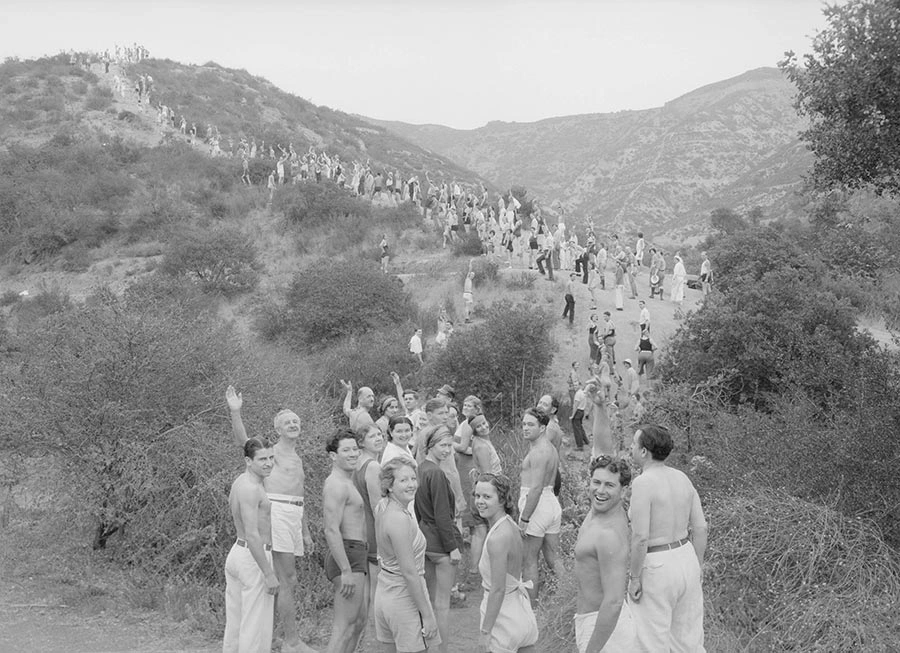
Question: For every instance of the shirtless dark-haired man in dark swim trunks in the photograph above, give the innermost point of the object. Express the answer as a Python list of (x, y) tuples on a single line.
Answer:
[(346, 564)]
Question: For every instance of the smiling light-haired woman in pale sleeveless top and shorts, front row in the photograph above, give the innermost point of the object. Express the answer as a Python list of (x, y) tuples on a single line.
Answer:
[(404, 616)]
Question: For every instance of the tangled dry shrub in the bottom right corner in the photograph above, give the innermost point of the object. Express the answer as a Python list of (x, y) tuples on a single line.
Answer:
[(785, 574)]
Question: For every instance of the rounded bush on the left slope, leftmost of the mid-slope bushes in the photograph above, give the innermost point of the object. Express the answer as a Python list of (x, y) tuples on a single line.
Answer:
[(220, 259)]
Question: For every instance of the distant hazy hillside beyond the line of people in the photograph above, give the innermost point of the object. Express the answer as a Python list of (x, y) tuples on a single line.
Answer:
[(733, 143)]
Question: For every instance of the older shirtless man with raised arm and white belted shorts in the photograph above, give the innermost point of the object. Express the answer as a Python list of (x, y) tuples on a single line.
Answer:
[(289, 533)]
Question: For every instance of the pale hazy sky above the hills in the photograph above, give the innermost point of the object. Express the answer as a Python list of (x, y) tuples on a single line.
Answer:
[(460, 64)]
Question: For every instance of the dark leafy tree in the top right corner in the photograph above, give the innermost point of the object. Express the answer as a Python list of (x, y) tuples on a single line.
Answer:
[(849, 87)]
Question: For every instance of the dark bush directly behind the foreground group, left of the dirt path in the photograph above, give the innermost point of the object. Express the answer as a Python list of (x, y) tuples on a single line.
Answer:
[(508, 352)]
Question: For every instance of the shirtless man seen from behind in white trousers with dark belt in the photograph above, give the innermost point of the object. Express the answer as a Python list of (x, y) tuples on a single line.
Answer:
[(668, 536)]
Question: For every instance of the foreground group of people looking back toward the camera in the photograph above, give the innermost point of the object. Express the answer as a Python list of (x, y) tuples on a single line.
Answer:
[(419, 486)]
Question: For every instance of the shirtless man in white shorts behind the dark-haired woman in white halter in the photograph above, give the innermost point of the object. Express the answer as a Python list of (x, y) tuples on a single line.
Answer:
[(540, 514)]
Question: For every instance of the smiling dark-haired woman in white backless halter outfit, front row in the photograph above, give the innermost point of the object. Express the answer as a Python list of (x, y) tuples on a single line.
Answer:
[(507, 620)]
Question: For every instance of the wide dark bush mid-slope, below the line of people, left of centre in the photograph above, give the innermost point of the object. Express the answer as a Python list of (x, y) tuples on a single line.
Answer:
[(333, 299)]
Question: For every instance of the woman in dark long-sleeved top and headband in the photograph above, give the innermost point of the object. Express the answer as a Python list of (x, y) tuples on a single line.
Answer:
[(436, 512)]
